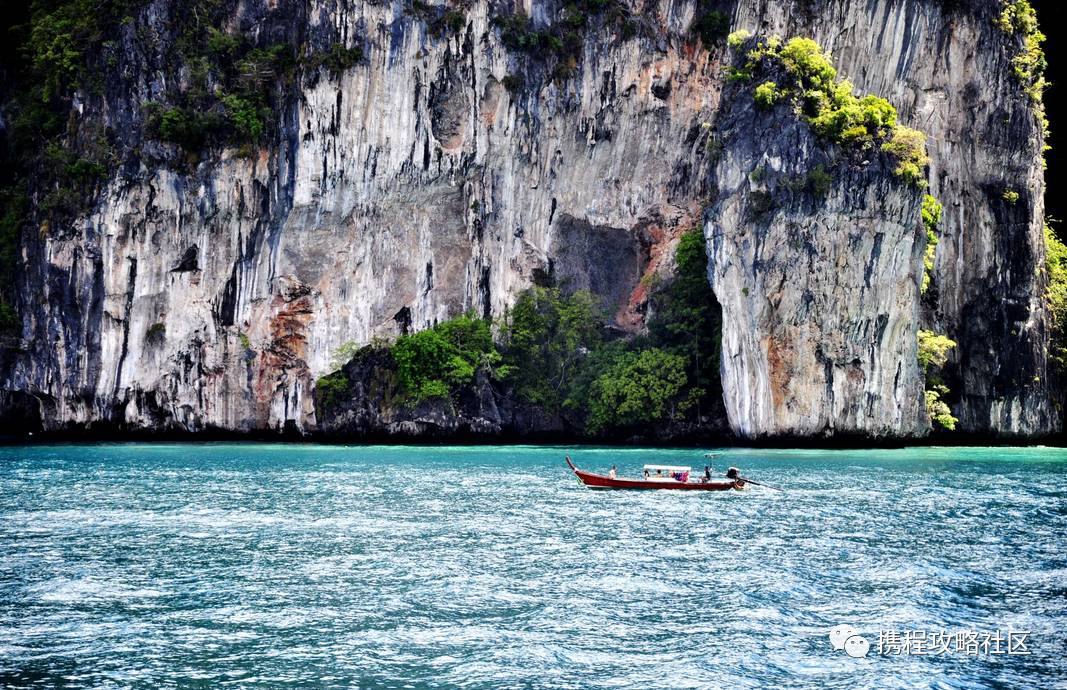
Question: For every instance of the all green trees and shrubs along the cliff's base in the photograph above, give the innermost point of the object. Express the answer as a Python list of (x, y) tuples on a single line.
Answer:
[(553, 352)]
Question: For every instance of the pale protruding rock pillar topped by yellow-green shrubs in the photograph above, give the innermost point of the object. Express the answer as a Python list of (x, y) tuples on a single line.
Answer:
[(820, 290)]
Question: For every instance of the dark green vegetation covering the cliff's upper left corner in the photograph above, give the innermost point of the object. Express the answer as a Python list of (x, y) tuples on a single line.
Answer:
[(66, 63)]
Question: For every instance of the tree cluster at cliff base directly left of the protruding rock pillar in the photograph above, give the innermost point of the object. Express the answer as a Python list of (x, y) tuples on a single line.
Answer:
[(560, 359)]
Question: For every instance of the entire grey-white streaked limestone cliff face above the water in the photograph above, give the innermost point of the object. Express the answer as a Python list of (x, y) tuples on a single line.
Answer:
[(415, 186)]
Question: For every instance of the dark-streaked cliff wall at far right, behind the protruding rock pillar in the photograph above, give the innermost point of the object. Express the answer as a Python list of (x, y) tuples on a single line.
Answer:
[(948, 70)]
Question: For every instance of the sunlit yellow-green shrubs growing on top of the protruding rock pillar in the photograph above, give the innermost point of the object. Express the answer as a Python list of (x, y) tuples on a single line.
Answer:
[(829, 104)]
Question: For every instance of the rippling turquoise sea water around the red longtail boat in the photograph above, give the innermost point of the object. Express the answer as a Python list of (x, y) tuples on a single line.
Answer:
[(329, 567)]
